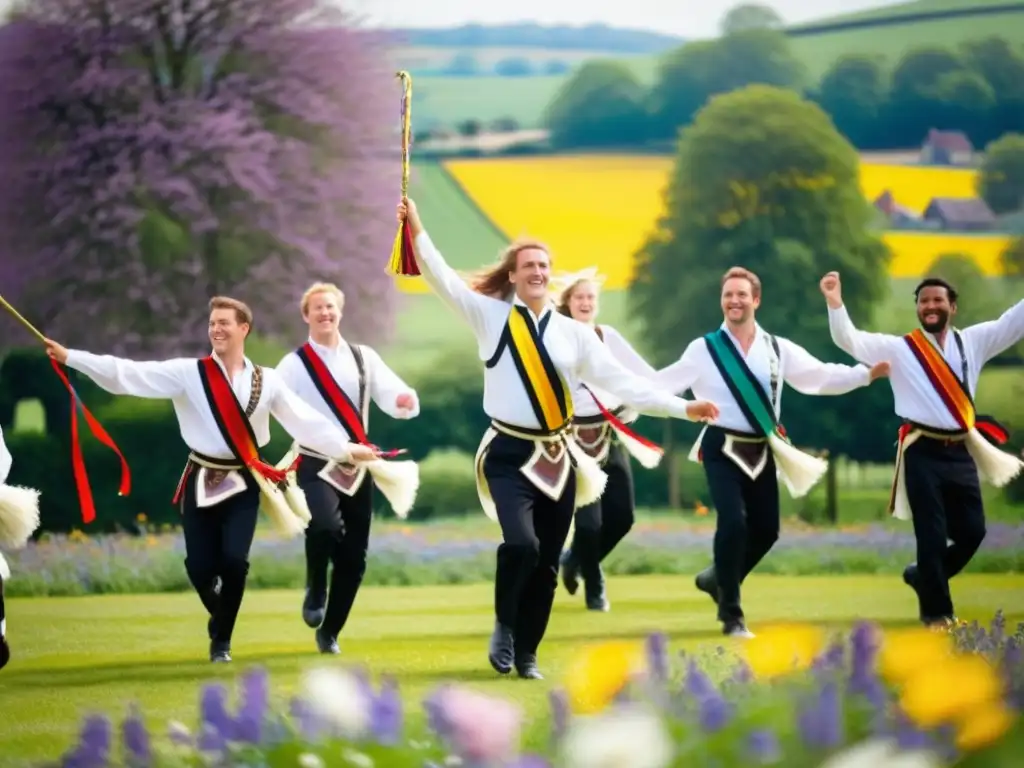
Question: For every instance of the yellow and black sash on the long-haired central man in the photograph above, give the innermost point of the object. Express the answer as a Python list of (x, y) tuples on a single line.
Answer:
[(547, 391)]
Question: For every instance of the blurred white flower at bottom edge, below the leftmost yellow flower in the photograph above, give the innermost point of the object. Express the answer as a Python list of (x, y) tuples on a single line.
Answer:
[(622, 738)]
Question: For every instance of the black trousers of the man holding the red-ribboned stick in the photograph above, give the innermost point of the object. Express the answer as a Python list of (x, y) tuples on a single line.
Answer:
[(218, 544)]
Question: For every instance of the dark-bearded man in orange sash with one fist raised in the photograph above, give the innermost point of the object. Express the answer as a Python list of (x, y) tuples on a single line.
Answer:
[(943, 447)]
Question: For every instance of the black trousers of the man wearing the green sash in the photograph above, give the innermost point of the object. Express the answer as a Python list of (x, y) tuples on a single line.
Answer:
[(748, 520)]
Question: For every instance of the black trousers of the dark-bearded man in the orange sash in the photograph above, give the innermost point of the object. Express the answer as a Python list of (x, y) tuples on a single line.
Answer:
[(946, 502)]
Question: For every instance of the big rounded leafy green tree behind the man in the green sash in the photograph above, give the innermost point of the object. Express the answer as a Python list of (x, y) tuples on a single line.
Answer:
[(763, 180)]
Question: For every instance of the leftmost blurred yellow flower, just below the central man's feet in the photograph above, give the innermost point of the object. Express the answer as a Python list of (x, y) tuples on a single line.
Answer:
[(600, 672)]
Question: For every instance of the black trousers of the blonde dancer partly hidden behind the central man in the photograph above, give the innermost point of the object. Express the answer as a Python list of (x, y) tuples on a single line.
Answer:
[(603, 525)]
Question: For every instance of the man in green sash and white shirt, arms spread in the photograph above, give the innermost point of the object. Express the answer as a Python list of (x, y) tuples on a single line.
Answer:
[(742, 367)]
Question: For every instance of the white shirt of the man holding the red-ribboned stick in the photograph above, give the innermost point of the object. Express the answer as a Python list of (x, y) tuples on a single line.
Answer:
[(179, 381)]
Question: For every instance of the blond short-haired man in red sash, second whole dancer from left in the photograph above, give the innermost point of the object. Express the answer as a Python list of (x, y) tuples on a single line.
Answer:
[(338, 379)]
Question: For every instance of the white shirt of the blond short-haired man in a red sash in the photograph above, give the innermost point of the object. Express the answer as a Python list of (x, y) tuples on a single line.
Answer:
[(383, 385)]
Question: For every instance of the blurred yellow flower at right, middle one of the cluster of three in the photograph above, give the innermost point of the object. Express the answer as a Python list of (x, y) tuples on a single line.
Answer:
[(942, 693)]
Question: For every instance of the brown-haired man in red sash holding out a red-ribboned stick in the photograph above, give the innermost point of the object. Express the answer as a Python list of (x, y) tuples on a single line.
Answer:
[(220, 503)]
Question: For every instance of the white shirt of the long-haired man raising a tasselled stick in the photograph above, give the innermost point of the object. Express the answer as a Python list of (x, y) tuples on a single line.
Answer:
[(574, 348)]
